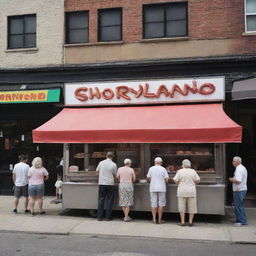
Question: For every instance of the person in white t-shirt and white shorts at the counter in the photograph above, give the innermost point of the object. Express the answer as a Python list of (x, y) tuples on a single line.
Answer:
[(158, 177)]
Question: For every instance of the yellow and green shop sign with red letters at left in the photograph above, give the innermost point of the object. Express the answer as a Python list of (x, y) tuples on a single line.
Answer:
[(33, 96)]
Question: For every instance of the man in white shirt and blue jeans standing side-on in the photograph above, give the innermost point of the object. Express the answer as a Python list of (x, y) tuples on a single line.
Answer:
[(239, 191)]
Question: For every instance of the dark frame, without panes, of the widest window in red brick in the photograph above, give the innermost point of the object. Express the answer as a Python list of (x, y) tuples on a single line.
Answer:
[(164, 6)]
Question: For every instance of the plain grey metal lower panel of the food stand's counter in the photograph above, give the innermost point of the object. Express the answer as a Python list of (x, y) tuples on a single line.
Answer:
[(87, 197)]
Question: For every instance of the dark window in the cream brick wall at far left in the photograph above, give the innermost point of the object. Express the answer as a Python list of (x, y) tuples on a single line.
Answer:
[(22, 31)]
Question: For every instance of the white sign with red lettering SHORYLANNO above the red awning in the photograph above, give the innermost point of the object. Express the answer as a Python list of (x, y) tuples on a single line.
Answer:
[(145, 92)]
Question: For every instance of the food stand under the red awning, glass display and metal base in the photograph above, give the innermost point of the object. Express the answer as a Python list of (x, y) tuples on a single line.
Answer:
[(81, 179)]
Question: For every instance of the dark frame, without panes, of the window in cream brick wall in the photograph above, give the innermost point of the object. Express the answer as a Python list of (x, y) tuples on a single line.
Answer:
[(23, 34)]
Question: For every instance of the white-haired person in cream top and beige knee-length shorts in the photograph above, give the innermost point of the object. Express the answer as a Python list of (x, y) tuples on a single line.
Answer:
[(186, 178)]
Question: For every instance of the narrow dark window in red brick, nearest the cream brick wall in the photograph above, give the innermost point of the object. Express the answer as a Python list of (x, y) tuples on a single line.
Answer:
[(77, 27)]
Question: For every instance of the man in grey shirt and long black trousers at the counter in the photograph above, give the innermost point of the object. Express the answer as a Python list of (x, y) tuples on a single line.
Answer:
[(107, 171)]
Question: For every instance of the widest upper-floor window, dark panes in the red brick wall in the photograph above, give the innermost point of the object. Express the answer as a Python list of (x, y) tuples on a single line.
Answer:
[(165, 20)]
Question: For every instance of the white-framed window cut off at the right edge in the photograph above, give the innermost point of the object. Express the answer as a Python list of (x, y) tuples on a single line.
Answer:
[(250, 15)]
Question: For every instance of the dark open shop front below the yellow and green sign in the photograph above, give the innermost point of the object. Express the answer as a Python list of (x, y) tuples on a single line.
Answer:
[(16, 125)]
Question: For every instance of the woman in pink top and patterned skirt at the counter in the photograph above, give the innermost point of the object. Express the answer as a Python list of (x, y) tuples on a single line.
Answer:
[(126, 177)]
